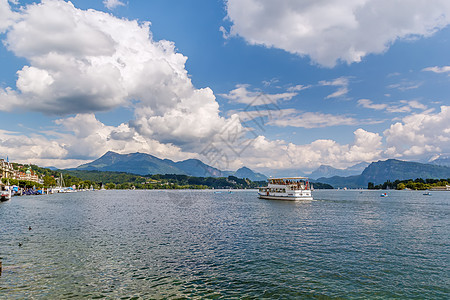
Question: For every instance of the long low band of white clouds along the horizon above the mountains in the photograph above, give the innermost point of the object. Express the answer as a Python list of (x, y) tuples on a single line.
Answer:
[(83, 138)]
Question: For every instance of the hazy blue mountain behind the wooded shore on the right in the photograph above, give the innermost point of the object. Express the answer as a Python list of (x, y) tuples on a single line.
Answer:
[(391, 169)]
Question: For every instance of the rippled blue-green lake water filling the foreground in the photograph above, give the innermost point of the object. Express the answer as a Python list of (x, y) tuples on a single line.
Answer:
[(201, 244)]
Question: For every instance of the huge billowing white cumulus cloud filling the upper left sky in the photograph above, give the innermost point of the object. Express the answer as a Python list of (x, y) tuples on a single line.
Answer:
[(83, 61)]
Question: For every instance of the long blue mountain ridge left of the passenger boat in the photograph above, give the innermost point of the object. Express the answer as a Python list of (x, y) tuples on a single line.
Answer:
[(145, 164)]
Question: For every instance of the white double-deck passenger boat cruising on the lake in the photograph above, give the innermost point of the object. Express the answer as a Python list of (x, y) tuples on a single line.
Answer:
[(287, 188)]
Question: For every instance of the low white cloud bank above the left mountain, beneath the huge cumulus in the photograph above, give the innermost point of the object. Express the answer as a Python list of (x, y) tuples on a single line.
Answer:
[(80, 139)]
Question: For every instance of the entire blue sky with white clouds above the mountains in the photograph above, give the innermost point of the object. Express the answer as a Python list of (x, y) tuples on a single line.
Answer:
[(278, 86)]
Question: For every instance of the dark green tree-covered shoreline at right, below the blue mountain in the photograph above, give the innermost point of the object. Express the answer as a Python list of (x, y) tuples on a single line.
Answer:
[(417, 184)]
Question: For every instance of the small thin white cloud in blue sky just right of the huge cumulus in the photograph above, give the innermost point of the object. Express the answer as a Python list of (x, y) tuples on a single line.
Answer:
[(241, 94)]
